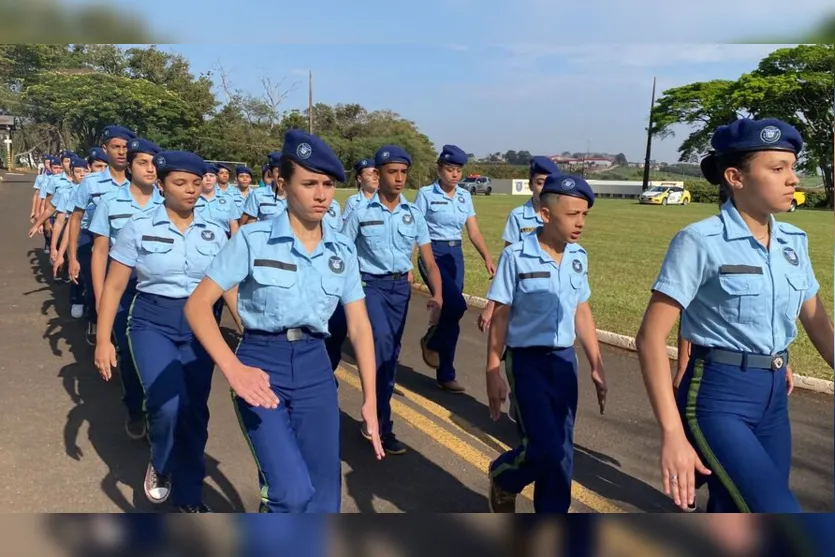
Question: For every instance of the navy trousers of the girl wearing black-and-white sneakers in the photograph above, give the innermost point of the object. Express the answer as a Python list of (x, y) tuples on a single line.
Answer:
[(176, 374)]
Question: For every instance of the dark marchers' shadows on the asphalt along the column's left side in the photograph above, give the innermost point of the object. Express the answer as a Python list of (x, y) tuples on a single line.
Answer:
[(98, 404)]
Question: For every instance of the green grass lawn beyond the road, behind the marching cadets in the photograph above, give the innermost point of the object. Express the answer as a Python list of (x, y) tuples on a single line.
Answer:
[(621, 237)]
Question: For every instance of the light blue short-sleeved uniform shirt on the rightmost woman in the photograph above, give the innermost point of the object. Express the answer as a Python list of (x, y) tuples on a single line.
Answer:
[(736, 294)]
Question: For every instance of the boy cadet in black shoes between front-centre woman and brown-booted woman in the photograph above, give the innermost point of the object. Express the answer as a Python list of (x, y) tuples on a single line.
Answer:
[(385, 229)]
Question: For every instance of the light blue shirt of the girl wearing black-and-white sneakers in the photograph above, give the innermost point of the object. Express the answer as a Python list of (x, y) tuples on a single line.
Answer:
[(167, 262)]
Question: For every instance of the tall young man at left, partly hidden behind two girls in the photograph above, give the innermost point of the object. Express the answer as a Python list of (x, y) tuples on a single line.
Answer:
[(87, 196)]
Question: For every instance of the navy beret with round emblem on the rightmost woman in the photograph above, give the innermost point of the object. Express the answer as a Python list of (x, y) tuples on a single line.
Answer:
[(747, 135)]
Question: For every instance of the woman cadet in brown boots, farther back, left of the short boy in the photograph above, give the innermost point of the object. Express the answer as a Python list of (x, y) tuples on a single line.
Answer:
[(448, 209)]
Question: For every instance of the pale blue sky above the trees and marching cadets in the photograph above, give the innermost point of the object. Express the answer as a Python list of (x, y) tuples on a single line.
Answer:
[(487, 75)]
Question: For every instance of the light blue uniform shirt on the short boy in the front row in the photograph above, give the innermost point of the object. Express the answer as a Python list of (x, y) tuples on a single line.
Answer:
[(543, 296)]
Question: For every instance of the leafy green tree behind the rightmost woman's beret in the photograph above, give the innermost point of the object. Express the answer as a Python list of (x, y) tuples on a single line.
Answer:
[(792, 84)]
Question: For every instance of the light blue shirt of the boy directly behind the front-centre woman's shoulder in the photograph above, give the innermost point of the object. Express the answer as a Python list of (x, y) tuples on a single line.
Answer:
[(384, 238)]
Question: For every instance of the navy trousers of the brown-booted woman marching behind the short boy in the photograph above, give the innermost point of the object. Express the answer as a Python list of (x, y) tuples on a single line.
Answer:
[(444, 338)]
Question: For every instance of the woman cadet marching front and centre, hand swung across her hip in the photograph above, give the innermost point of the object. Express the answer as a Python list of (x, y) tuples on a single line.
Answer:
[(292, 272)]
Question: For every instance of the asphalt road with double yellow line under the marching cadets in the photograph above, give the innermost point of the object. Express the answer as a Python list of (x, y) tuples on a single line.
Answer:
[(63, 446)]
